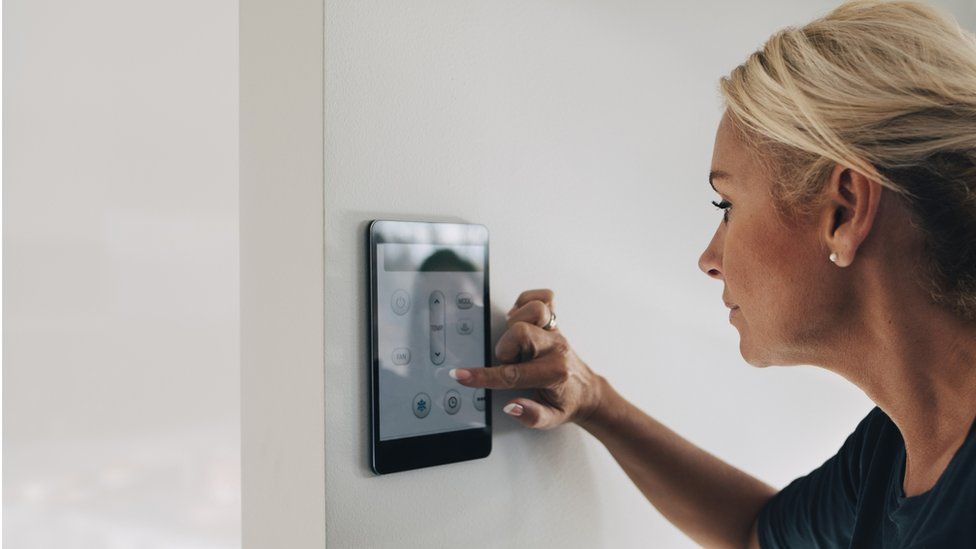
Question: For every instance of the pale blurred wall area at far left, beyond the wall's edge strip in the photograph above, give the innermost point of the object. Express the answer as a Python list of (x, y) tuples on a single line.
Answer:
[(121, 349)]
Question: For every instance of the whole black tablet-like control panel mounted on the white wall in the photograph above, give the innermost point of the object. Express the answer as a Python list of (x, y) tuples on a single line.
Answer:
[(429, 312)]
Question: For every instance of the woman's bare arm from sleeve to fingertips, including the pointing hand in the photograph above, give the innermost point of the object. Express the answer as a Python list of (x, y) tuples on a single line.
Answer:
[(711, 501)]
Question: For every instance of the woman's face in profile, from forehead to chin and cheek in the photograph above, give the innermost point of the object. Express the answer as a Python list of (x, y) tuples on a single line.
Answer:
[(777, 276)]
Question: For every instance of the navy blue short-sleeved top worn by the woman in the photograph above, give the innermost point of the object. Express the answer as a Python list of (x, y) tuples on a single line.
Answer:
[(855, 499)]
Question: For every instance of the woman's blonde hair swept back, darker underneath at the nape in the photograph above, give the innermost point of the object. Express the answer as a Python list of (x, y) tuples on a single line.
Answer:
[(887, 89)]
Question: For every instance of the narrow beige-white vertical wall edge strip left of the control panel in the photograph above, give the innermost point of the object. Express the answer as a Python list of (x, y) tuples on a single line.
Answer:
[(282, 387)]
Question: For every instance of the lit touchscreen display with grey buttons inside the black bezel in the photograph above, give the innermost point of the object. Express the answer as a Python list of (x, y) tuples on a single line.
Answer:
[(430, 318)]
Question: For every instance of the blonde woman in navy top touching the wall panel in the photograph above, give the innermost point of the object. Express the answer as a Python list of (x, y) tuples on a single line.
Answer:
[(846, 164)]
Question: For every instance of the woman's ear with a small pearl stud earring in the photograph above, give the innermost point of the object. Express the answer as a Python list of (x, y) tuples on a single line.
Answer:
[(850, 208)]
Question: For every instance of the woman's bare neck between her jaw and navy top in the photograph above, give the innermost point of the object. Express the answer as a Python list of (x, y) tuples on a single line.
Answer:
[(920, 368)]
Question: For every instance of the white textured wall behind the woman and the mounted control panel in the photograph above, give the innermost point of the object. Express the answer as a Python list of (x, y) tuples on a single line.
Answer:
[(580, 133)]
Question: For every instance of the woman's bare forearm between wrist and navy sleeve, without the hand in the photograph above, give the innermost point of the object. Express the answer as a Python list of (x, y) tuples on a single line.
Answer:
[(711, 501)]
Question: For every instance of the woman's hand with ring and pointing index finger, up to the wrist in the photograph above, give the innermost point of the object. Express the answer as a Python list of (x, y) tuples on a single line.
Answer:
[(535, 358)]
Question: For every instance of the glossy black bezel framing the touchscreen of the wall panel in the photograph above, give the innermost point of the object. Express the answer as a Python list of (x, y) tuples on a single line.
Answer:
[(440, 448)]
